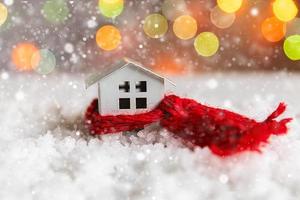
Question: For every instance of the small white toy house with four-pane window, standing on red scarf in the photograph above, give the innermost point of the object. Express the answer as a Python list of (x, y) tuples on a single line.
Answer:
[(127, 88)]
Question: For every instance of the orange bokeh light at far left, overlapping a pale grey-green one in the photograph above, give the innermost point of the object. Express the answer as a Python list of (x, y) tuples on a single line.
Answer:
[(22, 55)]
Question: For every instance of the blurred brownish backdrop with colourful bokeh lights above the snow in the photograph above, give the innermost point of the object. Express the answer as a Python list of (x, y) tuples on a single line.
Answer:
[(65, 36)]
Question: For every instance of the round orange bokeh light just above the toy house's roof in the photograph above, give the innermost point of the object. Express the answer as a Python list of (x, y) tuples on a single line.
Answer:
[(108, 37)]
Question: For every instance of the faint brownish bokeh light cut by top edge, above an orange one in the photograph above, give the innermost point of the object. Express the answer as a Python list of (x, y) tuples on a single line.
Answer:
[(172, 9)]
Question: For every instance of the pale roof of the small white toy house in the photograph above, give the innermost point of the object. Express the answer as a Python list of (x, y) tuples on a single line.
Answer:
[(119, 65)]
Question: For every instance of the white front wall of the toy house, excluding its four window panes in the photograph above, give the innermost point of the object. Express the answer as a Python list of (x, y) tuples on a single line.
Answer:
[(110, 93)]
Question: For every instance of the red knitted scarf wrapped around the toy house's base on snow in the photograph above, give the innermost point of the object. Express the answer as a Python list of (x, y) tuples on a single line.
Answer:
[(224, 132)]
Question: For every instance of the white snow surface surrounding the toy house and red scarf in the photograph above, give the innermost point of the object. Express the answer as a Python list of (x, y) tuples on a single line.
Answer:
[(46, 154)]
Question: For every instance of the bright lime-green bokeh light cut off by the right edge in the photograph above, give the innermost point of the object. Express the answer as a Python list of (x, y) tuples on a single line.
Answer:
[(292, 47)]
